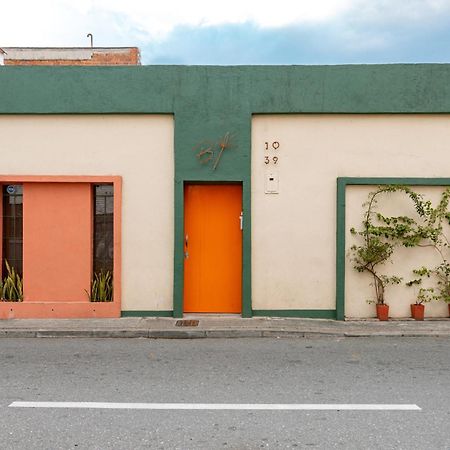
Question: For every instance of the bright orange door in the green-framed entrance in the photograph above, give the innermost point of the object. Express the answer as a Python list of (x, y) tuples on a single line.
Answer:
[(213, 248)]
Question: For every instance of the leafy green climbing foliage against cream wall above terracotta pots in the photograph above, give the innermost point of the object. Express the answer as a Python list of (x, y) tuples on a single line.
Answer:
[(382, 234)]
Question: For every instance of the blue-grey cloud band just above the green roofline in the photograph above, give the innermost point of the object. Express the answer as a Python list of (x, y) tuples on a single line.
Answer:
[(366, 41)]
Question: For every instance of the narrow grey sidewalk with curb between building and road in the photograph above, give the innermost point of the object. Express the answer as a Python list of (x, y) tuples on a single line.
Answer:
[(220, 326)]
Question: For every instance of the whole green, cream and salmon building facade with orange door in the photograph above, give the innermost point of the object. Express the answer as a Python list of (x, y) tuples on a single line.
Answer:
[(210, 189)]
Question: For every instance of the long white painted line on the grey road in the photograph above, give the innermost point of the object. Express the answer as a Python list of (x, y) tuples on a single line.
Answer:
[(222, 406)]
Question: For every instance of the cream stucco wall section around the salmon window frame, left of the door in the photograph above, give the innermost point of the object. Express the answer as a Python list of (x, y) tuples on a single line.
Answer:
[(140, 149)]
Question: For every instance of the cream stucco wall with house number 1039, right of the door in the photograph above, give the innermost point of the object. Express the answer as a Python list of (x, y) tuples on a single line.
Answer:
[(294, 231)]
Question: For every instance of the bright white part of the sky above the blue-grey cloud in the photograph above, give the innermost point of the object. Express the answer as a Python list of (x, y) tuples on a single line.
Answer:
[(66, 22)]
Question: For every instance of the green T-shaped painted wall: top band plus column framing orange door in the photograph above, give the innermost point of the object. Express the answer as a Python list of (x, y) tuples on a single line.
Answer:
[(209, 101)]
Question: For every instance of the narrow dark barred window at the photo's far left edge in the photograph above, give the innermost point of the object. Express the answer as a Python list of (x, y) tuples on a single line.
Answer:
[(12, 227)]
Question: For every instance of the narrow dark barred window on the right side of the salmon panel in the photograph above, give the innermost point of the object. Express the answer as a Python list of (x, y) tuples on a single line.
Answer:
[(103, 227)]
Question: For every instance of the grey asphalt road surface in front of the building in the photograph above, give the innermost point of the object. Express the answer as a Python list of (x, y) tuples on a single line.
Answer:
[(238, 371)]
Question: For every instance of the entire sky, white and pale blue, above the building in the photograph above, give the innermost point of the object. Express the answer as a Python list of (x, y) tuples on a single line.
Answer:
[(311, 31)]
